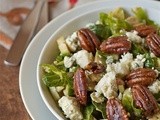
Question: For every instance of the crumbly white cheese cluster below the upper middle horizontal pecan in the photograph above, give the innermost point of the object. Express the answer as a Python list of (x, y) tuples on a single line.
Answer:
[(123, 66)]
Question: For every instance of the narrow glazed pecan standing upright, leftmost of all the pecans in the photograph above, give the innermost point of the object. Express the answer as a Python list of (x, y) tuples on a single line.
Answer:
[(80, 86)]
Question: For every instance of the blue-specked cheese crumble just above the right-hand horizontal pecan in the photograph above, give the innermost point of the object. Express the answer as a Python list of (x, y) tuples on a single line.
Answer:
[(138, 62)]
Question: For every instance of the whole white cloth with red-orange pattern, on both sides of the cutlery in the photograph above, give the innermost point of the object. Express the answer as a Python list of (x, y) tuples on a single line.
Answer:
[(14, 12)]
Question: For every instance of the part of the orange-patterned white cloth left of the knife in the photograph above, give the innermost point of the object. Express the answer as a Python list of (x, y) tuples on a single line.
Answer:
[(12, 15)]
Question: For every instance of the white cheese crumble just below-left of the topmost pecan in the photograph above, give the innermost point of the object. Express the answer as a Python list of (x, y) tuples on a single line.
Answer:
[(133, 36)]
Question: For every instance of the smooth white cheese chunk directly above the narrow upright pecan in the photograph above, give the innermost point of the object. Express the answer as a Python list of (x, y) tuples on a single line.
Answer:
[(83, 58)]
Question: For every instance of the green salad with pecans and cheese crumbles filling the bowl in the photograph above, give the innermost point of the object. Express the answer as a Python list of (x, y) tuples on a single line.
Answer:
[(109, 69)]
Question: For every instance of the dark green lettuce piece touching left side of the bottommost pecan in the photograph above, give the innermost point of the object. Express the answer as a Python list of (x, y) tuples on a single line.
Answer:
[(101, 107)]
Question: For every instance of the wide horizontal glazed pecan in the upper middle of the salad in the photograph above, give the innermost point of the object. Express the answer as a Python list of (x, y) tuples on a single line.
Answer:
[(116, 45)]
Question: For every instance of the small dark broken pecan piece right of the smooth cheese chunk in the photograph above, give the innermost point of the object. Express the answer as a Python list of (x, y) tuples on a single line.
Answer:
[(95, 67)]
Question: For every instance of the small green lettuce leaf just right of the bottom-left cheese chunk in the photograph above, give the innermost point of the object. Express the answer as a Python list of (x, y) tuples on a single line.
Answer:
[(87, 113)]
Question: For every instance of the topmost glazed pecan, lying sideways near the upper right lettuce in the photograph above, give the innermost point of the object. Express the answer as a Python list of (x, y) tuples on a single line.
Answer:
[(144, 30)]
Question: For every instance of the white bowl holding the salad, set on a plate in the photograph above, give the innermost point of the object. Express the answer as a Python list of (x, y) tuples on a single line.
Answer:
[(50, 49)]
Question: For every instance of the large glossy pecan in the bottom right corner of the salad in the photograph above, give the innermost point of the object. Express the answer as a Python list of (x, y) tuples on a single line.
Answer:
[(144, 100)]
